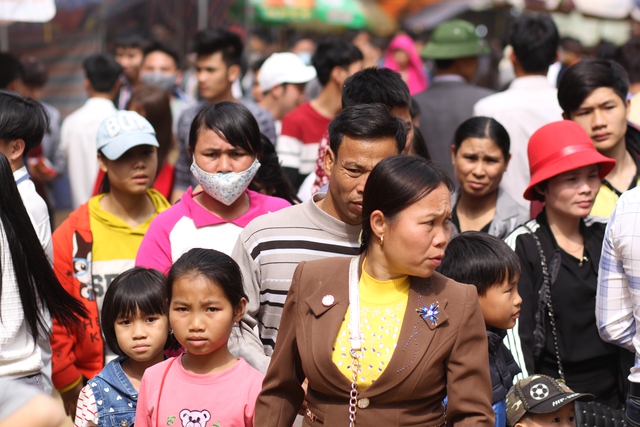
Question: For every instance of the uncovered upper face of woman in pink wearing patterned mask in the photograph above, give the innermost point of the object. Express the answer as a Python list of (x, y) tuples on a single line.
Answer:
[(213, 154)]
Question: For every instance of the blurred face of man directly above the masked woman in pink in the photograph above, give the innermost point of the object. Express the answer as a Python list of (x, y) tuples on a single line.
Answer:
[(214, 77)]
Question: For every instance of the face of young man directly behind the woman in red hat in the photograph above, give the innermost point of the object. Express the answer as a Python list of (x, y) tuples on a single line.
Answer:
[(603, 115)]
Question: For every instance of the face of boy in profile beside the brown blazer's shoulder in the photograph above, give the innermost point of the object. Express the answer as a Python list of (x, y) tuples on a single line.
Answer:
[(501, 304)]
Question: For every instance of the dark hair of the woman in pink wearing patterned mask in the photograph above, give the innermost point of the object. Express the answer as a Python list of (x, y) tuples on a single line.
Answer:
[(233, 122)]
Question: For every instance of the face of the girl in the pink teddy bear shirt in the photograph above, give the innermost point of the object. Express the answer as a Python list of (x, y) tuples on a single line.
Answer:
[(201, 315)]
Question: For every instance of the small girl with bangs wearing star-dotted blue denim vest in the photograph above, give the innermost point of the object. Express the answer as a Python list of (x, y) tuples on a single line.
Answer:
[(136, 327)]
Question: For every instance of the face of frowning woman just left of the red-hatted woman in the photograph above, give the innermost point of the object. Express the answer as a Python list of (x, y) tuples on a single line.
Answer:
[(479, 165)]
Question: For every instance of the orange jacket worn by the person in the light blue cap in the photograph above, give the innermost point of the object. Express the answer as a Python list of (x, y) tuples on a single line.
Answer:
[(79, 354)]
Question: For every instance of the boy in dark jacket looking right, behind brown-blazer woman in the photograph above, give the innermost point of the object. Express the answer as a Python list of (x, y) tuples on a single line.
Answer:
[(491, 266)]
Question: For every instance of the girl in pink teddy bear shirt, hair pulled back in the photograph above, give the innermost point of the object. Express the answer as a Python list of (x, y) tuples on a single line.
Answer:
[(207, 385)]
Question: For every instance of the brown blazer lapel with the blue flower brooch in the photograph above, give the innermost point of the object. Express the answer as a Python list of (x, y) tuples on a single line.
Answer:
[(415, 337)]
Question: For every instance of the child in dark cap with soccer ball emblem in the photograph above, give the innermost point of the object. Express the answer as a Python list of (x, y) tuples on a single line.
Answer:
[(541, 401)]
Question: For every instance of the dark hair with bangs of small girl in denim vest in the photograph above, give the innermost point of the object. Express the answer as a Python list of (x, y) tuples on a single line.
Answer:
[(137, 291)]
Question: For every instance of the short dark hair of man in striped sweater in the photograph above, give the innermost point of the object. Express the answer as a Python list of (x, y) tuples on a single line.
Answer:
[(368, 122)]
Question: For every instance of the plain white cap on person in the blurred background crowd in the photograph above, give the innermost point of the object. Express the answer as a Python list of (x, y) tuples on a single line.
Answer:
[(282, 68)]
